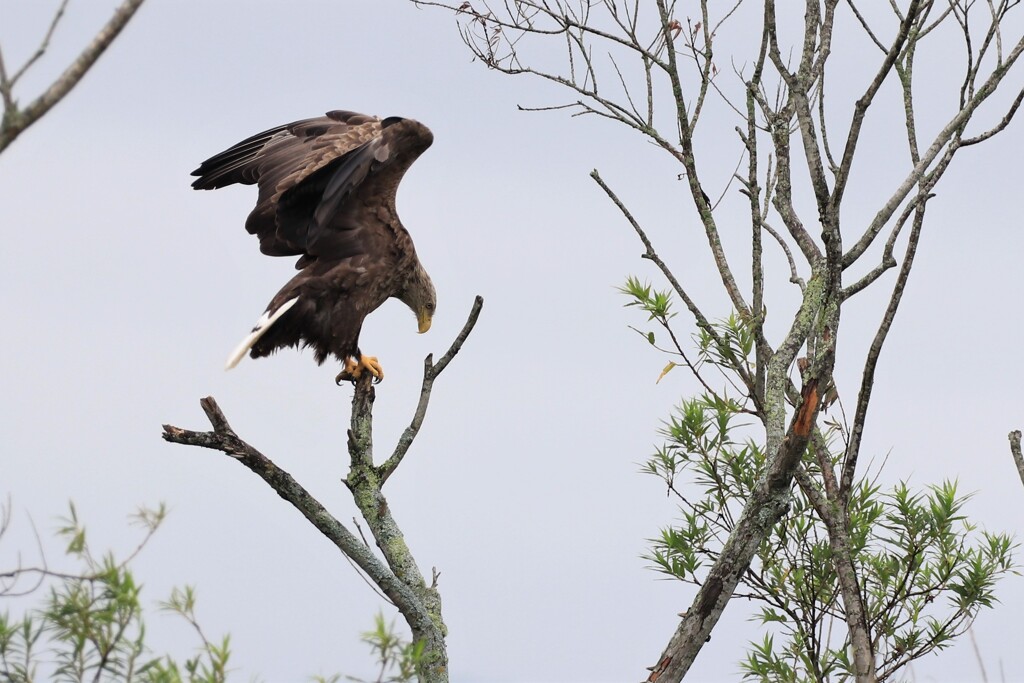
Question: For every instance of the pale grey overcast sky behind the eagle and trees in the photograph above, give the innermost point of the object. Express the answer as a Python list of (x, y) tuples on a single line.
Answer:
[(124, 292)]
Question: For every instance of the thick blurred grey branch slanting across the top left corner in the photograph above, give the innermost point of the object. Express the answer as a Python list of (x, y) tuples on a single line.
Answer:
[(17, 121)]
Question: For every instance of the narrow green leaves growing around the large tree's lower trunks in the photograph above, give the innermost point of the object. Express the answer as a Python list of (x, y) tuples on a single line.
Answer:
[(924, 570)]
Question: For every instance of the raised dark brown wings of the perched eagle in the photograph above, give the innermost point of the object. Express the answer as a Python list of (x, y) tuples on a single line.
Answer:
[(324, 183)]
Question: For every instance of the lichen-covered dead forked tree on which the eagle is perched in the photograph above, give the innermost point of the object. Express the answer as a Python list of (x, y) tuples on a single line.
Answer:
[(398, 576)]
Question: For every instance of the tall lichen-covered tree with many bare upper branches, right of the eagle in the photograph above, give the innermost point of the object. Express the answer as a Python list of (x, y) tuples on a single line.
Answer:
[(654, 70)]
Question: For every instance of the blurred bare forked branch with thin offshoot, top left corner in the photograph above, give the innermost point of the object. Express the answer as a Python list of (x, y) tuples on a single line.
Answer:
[(17, 118)]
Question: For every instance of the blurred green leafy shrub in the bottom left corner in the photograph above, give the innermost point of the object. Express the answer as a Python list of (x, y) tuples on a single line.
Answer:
[(92, 627)]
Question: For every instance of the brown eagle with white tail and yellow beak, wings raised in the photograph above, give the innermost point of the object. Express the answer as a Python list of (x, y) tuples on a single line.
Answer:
[(327, 194)]
